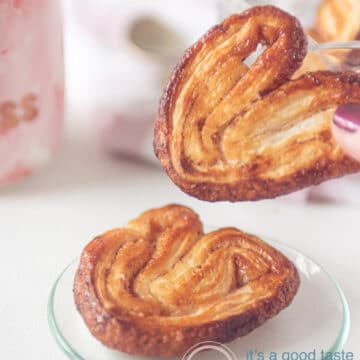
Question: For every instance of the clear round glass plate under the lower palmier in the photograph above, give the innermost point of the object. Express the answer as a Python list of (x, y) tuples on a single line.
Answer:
[(317, 320)]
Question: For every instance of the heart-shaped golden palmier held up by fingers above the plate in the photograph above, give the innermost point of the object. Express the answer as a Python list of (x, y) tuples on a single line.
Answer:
[(229, 131)]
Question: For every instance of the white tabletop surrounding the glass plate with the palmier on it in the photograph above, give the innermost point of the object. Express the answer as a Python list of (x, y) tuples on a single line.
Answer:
[(47, 219)]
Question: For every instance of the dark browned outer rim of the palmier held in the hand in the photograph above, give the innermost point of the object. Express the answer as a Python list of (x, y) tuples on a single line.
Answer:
[(253, 188)]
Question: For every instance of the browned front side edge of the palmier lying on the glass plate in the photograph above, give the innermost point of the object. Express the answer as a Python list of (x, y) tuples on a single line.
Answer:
[(167, 342)]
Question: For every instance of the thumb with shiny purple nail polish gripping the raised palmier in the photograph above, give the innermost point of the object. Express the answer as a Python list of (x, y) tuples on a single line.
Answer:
[(346, 129)]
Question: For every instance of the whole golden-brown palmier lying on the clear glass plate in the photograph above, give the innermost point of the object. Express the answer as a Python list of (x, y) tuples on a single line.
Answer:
[(160, 285)]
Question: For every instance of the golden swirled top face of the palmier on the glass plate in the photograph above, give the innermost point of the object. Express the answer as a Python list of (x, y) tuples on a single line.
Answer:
[(163, 266)]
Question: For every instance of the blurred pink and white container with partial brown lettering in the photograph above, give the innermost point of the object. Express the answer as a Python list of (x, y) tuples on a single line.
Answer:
[(31, 85)]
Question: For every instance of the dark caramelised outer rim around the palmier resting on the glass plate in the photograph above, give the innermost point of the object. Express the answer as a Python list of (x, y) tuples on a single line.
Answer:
[(136, 335)]
